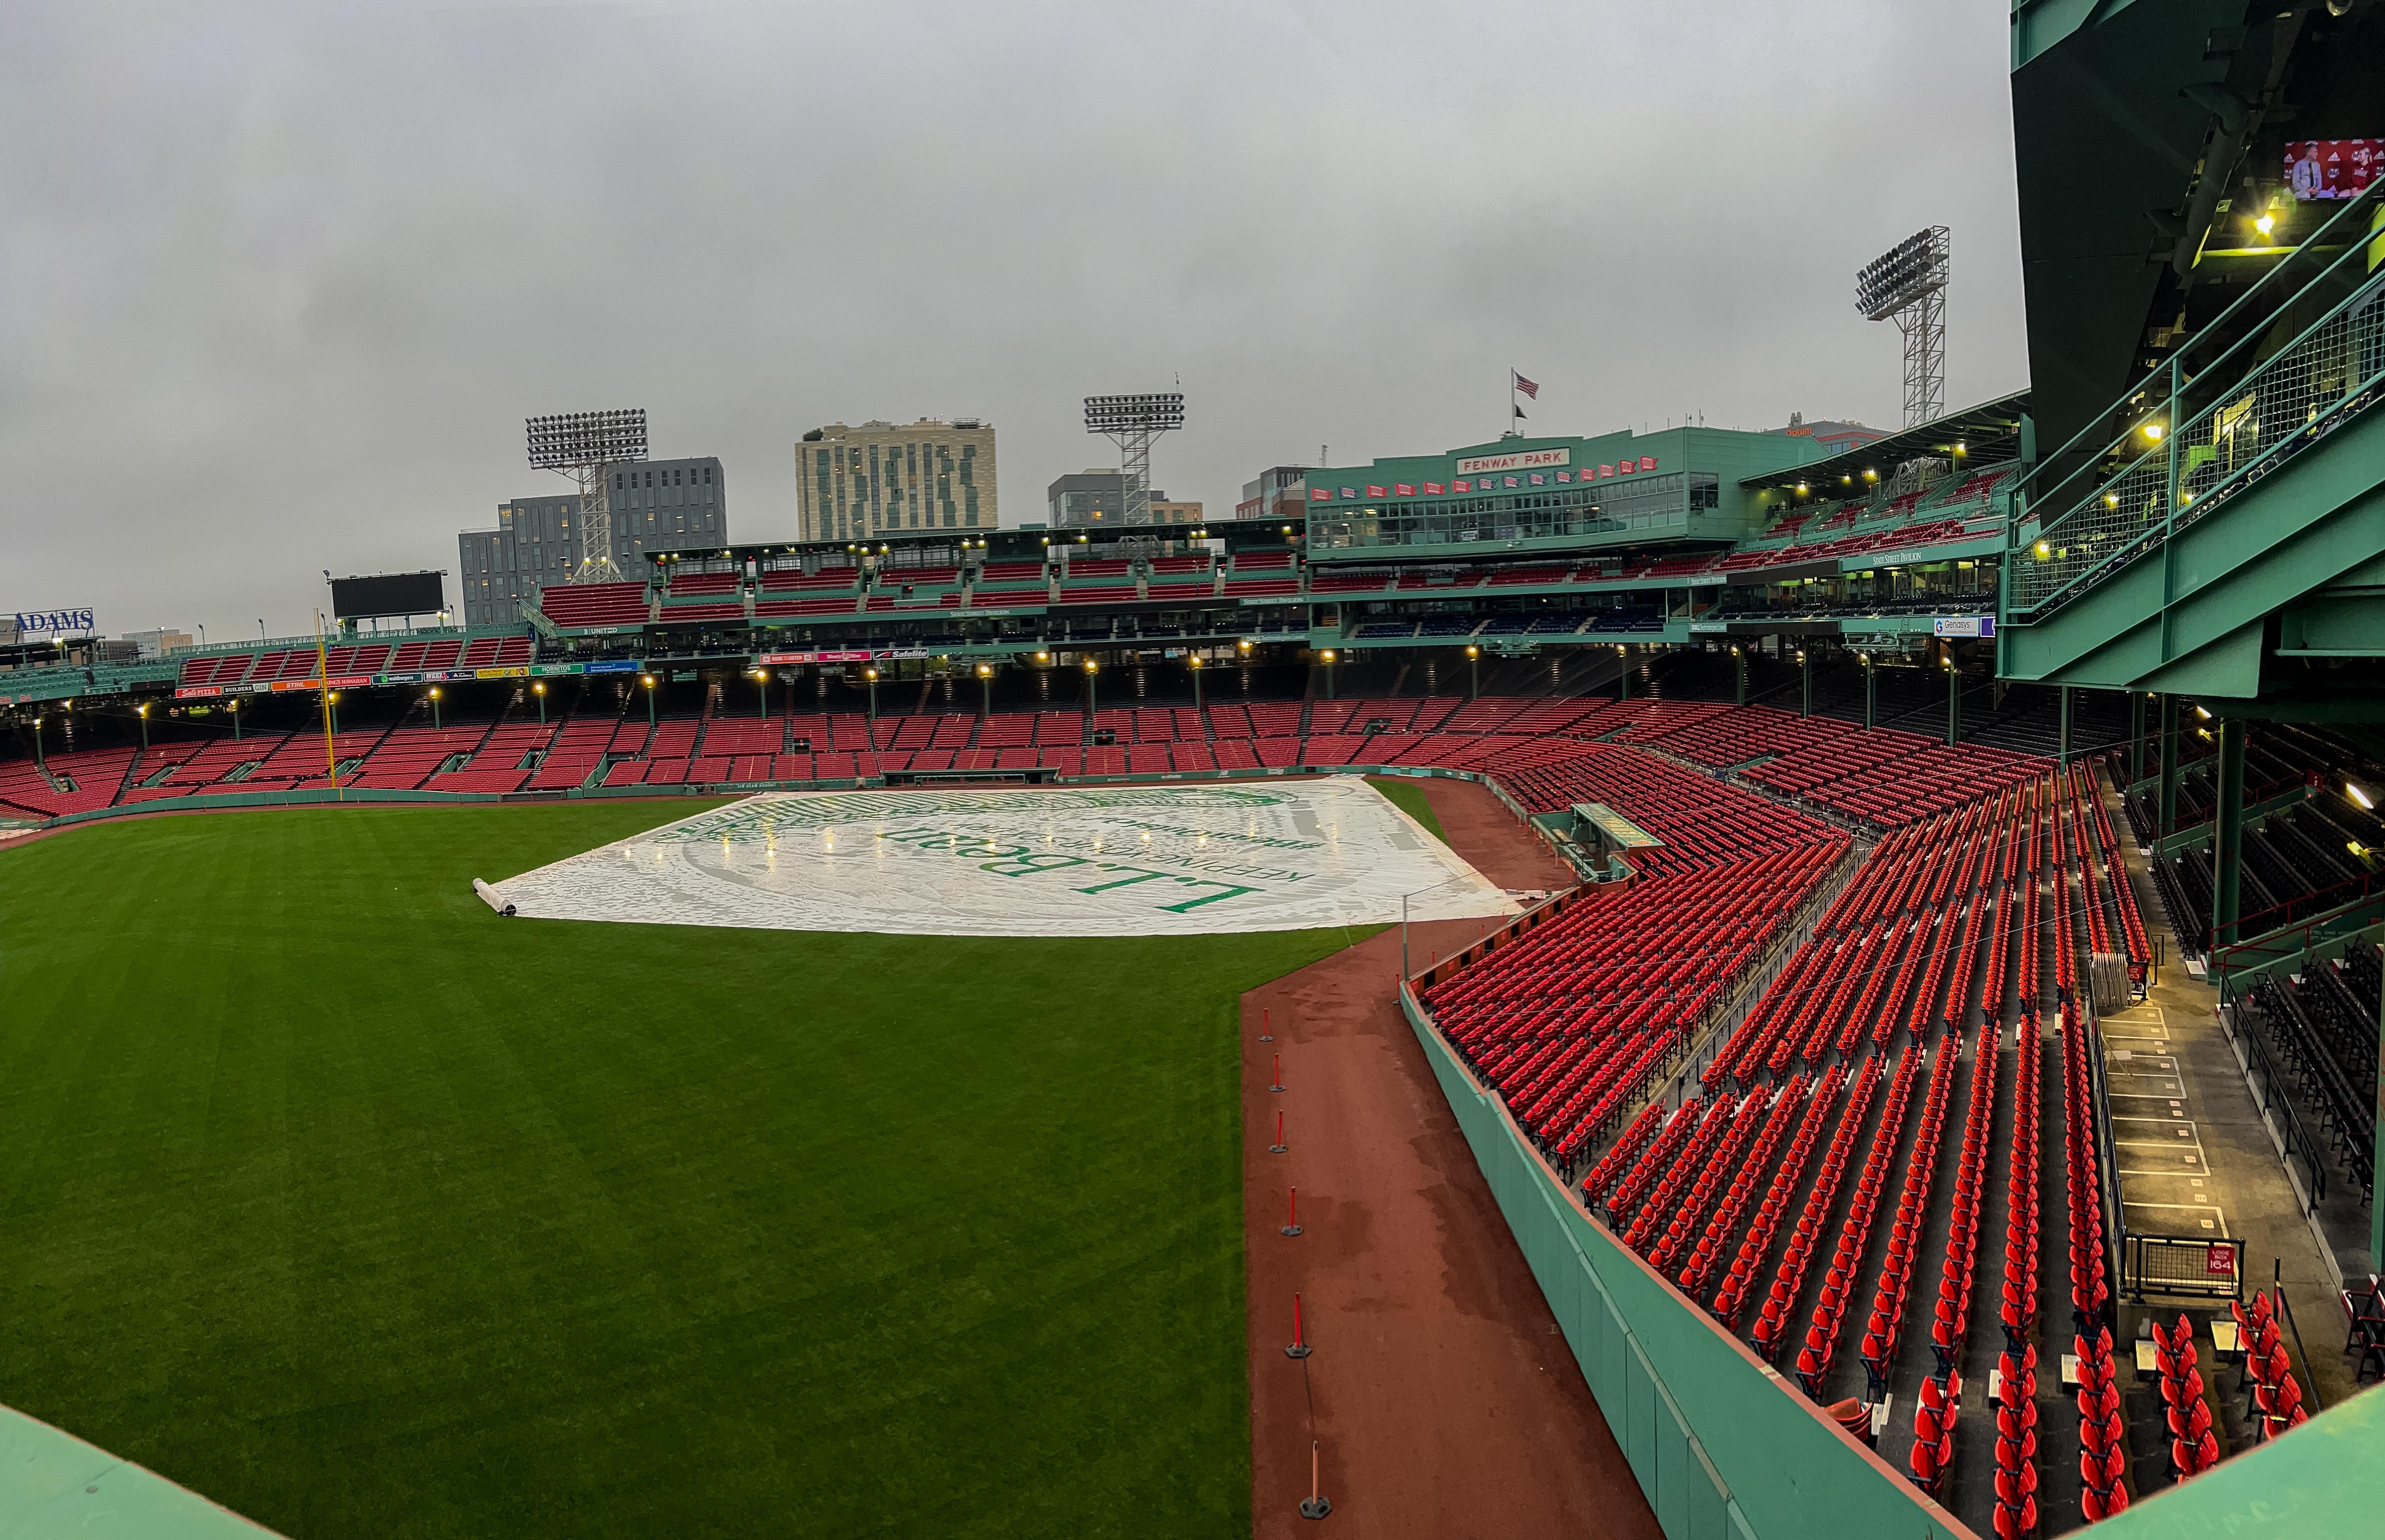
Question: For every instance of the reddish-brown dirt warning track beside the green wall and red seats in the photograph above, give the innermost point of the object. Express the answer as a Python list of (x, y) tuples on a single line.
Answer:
[(1447, 1403)]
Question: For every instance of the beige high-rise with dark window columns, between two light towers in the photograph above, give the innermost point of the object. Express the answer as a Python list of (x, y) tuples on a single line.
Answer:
[(857, 483)]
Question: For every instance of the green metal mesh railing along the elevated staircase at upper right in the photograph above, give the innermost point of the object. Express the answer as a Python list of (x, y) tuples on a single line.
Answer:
[(2329, 373)]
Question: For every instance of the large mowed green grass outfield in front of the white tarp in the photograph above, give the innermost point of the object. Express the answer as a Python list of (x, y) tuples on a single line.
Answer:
[(364, 1212)]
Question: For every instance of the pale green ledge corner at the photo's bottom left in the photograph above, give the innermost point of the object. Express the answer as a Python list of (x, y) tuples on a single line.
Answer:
[(54, 1486)]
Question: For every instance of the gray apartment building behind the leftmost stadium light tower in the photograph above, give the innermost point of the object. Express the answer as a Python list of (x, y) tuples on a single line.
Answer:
[(655, 507)]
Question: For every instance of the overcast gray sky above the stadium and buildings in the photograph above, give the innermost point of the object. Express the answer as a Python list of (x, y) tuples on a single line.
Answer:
[(278, 285)]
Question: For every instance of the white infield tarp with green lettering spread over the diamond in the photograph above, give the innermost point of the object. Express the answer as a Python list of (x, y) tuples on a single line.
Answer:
[(1024, 864)]
